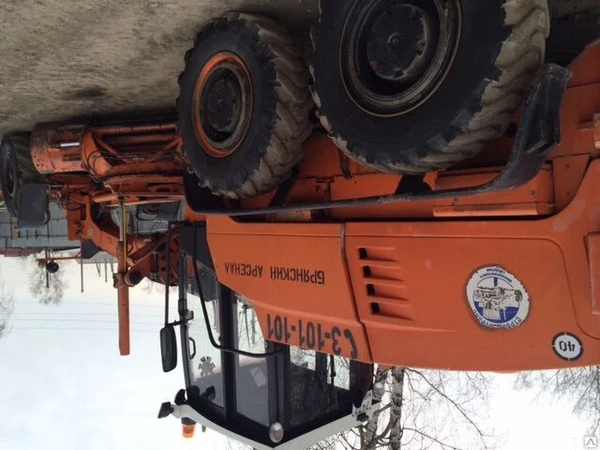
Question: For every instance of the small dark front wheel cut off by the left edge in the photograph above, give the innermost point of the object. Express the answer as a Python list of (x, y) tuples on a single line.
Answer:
[(16, 169)]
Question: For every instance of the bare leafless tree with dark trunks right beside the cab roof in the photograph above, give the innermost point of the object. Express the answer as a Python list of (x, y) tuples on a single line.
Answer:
[(424, 409)]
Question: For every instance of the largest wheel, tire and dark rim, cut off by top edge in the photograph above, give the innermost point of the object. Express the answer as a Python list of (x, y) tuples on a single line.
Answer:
[(412, 86)]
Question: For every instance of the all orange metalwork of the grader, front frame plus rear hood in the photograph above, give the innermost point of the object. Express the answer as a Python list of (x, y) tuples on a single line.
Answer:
[(384, 283)]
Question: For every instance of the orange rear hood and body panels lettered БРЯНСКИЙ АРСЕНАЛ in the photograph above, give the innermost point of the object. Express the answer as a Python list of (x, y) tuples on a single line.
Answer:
[(390, 283)]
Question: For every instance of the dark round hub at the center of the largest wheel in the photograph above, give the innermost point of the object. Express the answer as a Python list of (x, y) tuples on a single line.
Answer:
[(401, 44)]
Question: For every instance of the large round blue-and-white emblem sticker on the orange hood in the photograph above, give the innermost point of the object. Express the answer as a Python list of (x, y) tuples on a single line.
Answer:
[(497, 298)]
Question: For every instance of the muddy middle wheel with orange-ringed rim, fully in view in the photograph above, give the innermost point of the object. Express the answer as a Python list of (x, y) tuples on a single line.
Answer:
[(276, 106)]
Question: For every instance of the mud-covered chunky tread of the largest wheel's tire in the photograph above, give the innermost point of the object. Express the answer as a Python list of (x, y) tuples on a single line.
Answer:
[(490, 110)]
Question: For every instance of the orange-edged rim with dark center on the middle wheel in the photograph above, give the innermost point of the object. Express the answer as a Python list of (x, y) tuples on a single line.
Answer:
[(222, 106)]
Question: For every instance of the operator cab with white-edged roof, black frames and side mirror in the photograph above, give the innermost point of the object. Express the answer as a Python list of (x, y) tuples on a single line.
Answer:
[(260, 393)]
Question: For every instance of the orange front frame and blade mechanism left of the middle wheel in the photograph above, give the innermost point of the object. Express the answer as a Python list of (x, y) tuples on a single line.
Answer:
[(94, 170)]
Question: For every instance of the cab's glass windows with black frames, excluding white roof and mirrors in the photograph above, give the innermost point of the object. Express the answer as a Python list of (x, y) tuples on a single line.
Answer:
[(245, 383)]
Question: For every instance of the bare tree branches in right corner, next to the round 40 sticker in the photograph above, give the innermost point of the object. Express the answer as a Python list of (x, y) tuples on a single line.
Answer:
[(579, 386)]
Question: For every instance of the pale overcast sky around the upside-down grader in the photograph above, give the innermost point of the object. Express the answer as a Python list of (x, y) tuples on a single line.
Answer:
[(64, 386)]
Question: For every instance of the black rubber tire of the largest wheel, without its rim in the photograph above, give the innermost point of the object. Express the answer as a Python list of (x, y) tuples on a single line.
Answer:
[(497, 53)]
